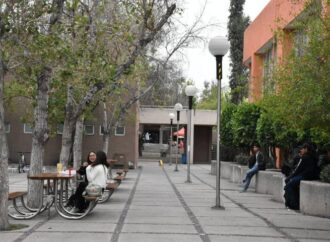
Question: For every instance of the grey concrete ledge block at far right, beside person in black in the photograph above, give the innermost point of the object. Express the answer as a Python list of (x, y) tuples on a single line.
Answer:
[(315, 198)]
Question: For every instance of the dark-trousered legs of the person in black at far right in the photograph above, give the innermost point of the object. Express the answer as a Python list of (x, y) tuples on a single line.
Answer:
[(291, 193)]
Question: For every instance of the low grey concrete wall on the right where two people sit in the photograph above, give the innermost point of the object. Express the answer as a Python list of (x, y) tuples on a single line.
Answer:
[(314, 195)]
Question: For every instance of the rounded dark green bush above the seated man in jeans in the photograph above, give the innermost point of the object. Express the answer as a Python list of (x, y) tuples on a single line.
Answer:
[(244, 122)]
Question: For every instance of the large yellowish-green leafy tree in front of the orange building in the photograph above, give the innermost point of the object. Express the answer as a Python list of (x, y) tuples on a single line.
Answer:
[(300, 111)]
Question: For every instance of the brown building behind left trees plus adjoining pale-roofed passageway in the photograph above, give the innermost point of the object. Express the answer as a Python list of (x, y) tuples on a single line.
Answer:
[(124, 140)]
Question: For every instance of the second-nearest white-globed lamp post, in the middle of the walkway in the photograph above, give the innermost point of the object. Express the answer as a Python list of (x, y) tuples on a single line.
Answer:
[(190, 91)]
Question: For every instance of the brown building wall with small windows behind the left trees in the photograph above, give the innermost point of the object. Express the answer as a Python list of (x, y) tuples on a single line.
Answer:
[(123, 140)]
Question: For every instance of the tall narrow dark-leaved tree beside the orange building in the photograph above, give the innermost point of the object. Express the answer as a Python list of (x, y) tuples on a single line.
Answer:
[(236, 25)]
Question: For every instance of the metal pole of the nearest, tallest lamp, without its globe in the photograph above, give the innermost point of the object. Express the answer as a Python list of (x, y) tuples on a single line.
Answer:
[(219, 77)]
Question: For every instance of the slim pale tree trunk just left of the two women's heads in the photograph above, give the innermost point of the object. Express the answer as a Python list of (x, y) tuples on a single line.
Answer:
[(77, 144)]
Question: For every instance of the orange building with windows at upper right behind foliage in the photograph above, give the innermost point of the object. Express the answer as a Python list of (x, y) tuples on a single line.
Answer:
[(269, 39)]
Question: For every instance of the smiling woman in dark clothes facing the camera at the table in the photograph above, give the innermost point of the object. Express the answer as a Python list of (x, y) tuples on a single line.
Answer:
[(77, 200)]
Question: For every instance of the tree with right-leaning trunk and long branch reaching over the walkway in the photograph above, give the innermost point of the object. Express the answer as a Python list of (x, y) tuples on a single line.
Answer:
[(150, 17)]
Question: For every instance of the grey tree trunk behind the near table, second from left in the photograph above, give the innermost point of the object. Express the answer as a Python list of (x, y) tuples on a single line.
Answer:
[(40, 136)]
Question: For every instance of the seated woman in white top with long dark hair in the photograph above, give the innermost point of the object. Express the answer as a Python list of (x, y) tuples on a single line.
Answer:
[(96, 173)]
